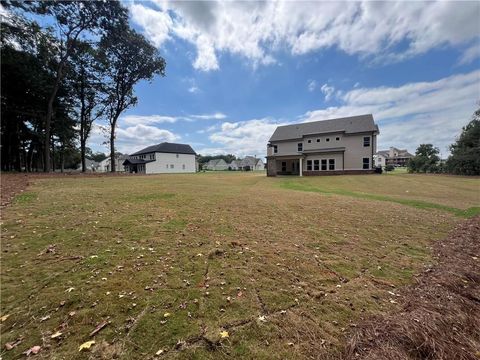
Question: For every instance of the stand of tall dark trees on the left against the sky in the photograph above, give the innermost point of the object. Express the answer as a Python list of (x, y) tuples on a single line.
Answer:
[(64, 66)]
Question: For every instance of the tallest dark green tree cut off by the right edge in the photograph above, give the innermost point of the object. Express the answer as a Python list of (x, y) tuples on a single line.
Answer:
[(465, 157)]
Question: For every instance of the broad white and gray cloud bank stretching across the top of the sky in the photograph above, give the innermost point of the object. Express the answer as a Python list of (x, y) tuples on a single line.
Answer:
[(256, 30)]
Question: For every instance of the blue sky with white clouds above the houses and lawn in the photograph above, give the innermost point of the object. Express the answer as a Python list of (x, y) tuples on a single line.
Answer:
[(237, 70)]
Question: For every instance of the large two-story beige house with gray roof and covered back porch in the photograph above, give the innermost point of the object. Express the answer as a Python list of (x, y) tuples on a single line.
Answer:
[(337, 146)]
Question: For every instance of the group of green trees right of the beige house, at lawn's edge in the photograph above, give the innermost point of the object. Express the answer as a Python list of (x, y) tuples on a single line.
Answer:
[(464, 158)]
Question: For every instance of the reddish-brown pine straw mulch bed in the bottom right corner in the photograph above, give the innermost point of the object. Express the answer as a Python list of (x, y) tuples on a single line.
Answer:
[(440, 314)]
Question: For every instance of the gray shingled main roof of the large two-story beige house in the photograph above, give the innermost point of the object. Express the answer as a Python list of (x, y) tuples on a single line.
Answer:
[(349, 125)]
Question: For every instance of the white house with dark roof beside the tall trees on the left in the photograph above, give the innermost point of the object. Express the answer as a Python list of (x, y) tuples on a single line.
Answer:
[(162, 158)]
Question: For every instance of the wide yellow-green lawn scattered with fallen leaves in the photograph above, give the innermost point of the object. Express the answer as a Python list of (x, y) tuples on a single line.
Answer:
[(215, 265)]
